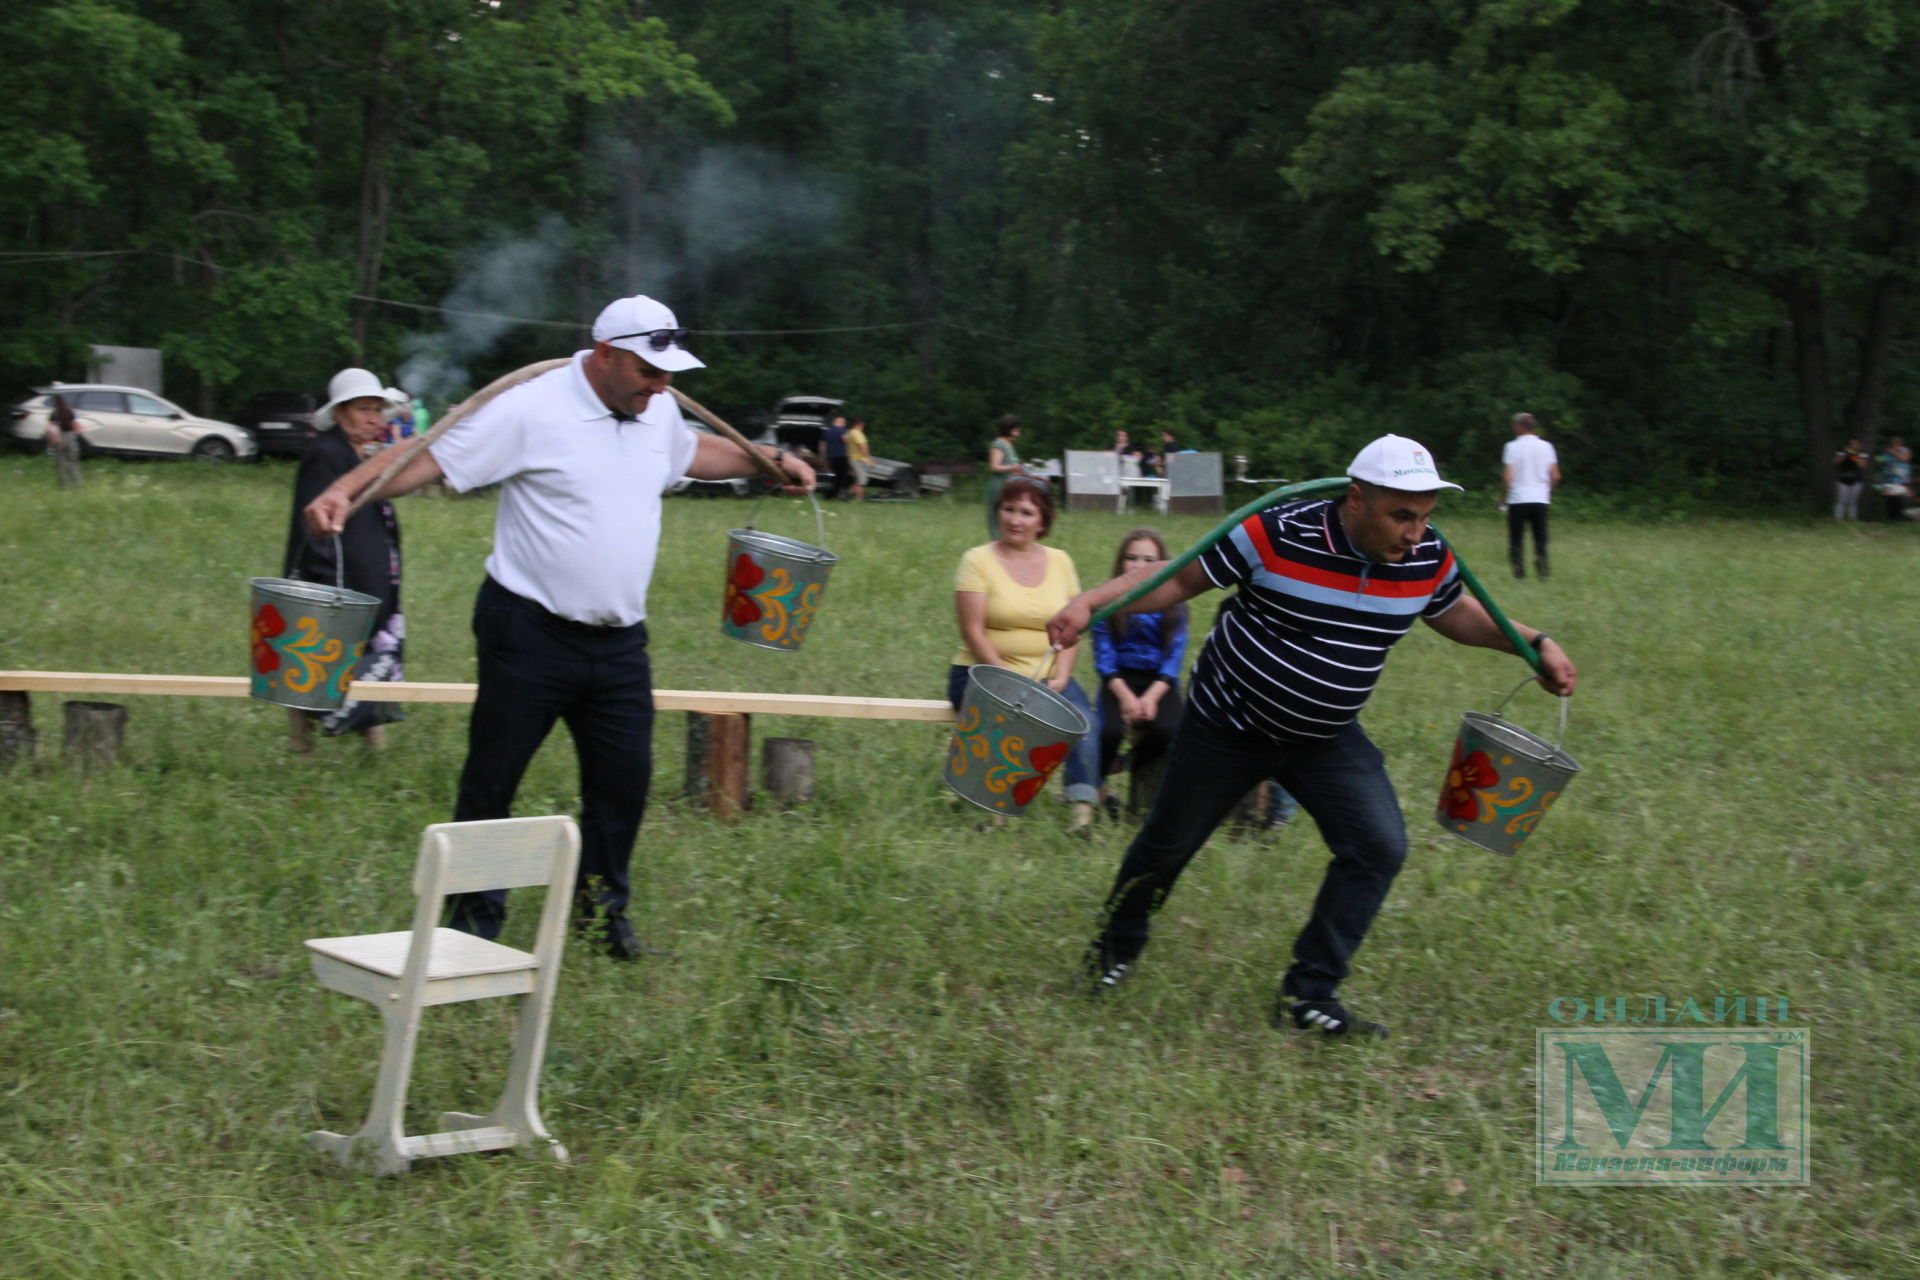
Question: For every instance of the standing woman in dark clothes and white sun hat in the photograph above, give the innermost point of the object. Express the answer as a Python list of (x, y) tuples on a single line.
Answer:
[(354, 425)]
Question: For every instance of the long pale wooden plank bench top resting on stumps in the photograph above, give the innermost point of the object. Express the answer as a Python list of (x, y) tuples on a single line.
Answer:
[(930, 711)]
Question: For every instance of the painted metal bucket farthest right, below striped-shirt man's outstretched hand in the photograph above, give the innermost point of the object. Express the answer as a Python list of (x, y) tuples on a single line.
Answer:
[(1502, 780)]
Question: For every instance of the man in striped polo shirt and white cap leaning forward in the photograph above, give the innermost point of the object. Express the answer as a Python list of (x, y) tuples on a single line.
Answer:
[(1326, 588)]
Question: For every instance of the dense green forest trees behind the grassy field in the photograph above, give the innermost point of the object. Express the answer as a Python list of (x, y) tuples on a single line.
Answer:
[(1683, 233)]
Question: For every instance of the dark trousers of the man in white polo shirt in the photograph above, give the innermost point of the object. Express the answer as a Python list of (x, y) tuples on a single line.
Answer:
[(537, 669)]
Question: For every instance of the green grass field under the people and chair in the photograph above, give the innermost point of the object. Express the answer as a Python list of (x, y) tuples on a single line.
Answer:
[(871, 1055)]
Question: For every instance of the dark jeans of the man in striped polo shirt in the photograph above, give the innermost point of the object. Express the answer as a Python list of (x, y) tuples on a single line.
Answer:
[(1341, 782)]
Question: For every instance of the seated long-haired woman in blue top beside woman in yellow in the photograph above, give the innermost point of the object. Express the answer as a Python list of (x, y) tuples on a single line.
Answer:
[(1138, 659)]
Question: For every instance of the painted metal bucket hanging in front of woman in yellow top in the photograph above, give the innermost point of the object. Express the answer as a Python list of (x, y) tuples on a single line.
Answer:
[(1013, 734)]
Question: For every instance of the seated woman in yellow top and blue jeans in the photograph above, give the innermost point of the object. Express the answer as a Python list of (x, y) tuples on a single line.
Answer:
[(1005, 592)]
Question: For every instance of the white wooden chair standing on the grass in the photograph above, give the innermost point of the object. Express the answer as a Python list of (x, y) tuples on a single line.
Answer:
[(400, 974)]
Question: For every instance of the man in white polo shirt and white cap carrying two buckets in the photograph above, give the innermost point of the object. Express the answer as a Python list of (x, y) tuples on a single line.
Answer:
[(583, 456)]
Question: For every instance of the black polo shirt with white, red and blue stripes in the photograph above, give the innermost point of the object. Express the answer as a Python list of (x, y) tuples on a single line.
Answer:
[(1299, 648)]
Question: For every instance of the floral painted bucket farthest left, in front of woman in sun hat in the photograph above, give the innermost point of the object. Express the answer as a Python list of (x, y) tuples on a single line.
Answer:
[(306, 642)]
